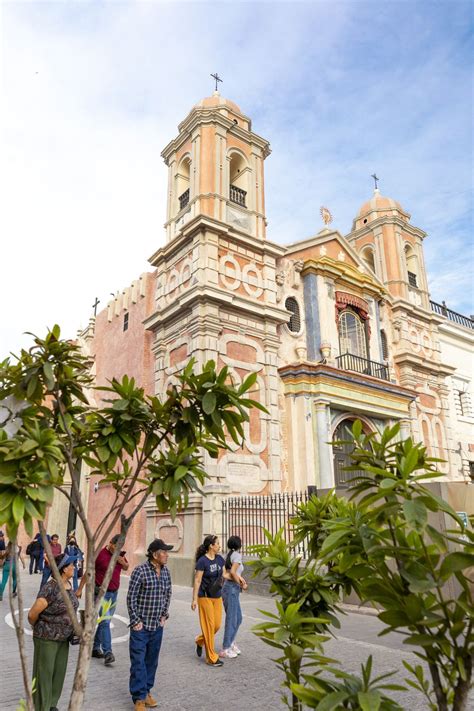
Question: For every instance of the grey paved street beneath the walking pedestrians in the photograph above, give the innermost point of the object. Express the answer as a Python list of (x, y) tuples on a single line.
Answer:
[(183, 681)]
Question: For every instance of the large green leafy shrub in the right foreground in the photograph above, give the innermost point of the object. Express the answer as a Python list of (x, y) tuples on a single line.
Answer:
[(383, 545)]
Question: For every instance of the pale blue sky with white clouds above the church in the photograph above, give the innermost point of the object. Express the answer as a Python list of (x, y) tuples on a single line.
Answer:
[(91, 93)]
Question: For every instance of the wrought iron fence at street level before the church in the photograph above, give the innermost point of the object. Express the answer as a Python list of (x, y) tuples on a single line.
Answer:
[(248, 517)]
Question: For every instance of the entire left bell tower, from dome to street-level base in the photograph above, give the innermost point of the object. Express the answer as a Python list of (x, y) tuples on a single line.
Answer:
[(216, 293)]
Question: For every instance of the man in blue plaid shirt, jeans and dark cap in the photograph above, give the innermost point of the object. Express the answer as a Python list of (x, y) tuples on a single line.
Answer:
[(148, 602)]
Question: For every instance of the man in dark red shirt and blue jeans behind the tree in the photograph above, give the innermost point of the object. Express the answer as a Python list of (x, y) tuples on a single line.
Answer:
[(102, 648)]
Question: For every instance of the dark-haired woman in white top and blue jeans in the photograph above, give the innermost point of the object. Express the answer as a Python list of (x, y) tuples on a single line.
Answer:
[(231, 597)]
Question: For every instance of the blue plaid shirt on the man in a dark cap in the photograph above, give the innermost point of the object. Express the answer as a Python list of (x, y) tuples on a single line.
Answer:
[(149, 596)]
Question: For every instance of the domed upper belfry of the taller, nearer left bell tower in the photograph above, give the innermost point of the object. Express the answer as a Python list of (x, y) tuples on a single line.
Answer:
[(215, 169)]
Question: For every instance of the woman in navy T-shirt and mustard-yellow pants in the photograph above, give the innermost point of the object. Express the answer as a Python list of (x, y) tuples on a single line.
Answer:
[(207, 596)]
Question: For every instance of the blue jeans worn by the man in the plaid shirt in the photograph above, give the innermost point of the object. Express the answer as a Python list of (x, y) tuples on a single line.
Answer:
[(144, 652)]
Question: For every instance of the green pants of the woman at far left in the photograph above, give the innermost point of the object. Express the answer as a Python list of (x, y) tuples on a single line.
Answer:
[(49, 670)]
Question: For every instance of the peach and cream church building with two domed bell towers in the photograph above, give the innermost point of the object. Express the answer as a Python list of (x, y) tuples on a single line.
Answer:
[(335, 327)]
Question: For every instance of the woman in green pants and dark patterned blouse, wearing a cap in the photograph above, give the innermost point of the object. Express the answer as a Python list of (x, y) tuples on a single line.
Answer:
[(52, 629)]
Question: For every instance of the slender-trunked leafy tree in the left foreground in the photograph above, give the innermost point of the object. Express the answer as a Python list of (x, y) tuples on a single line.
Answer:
[(140, 445)]
